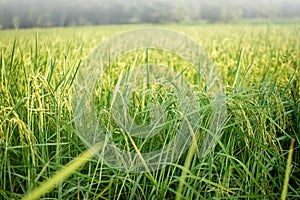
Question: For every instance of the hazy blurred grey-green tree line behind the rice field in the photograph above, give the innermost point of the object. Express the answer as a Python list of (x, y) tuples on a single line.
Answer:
[(48, 13)]
